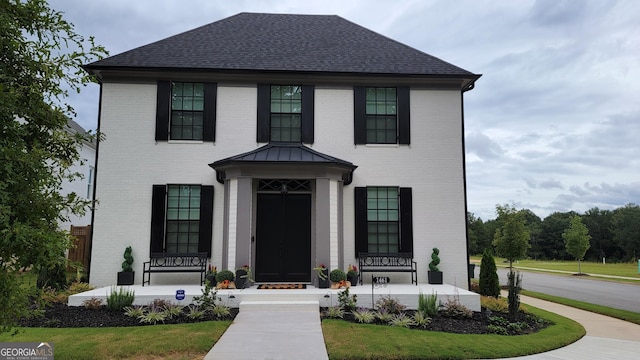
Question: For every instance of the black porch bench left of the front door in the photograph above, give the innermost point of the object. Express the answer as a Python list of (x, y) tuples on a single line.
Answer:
[(175, 263)]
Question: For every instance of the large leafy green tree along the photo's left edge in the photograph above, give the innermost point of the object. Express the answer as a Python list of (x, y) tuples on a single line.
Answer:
[(40, 62)]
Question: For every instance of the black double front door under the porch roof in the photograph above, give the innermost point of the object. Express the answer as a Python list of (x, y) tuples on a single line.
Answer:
[(283, 238)]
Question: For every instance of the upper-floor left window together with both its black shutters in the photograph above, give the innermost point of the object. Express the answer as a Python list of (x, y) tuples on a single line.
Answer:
[(186, 111)]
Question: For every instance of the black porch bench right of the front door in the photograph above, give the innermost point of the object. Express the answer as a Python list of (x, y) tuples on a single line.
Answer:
[(393, 262)]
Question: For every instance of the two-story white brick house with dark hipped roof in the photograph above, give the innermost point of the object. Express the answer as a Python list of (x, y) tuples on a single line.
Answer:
[(281, 142)]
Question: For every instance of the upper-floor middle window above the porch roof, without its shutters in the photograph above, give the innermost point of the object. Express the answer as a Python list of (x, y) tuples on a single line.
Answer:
[(286, 110)]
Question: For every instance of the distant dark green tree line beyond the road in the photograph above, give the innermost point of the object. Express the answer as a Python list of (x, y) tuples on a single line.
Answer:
[(615, 234)]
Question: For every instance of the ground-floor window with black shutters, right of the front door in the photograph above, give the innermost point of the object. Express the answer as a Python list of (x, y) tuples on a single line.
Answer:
[(383, 216)]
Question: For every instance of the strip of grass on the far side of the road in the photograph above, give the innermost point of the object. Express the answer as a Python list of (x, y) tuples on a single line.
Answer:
[(619, 269)]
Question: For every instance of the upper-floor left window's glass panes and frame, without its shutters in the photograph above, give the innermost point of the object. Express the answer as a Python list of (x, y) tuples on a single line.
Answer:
[(187, 109)]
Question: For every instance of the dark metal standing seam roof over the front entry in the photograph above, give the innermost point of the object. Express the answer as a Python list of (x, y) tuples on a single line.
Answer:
[(284, 153)]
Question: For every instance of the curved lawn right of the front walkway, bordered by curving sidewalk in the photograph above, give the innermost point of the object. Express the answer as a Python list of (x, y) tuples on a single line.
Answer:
[(347, 340)]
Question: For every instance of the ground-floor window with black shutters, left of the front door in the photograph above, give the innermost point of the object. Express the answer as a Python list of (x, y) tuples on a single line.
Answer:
[(181, 218)]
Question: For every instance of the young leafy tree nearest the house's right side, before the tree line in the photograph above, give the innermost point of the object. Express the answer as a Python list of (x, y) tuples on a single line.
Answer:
[(511, 240)]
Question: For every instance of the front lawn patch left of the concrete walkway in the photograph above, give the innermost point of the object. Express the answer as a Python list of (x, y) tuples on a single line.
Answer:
[(185, 341)]
